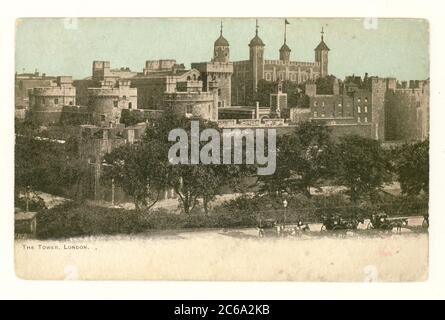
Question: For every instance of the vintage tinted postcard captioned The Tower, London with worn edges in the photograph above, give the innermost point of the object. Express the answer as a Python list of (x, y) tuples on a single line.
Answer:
[(226, 149)]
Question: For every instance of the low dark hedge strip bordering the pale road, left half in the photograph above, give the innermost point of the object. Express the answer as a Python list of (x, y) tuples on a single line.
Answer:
[(76, 219)]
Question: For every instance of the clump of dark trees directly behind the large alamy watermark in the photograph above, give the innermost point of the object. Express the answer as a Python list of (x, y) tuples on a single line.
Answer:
[(143, 170)]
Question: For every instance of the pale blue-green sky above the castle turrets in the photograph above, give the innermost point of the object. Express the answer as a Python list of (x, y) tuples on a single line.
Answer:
[(397, 48)]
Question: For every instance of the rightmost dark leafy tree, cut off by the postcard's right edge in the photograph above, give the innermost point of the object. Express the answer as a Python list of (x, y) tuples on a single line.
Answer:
[(412, 167)]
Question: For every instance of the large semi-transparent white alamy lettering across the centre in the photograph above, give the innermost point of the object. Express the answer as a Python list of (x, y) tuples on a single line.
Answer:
[(210, 153)]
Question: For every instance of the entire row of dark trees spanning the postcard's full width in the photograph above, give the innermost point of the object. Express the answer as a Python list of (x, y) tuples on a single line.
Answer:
[(308, 157)]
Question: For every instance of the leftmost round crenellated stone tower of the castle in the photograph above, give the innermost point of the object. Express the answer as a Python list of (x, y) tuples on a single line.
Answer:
[(46, 104)]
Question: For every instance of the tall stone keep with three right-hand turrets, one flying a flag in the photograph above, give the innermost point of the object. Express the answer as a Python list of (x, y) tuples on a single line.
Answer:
[(247, 73)]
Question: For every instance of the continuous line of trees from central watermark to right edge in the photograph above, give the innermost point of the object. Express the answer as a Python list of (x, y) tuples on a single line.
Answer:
[(306, 158)]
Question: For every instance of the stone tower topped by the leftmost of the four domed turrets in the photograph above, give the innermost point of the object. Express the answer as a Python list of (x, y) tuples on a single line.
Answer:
[(219, 70)]
